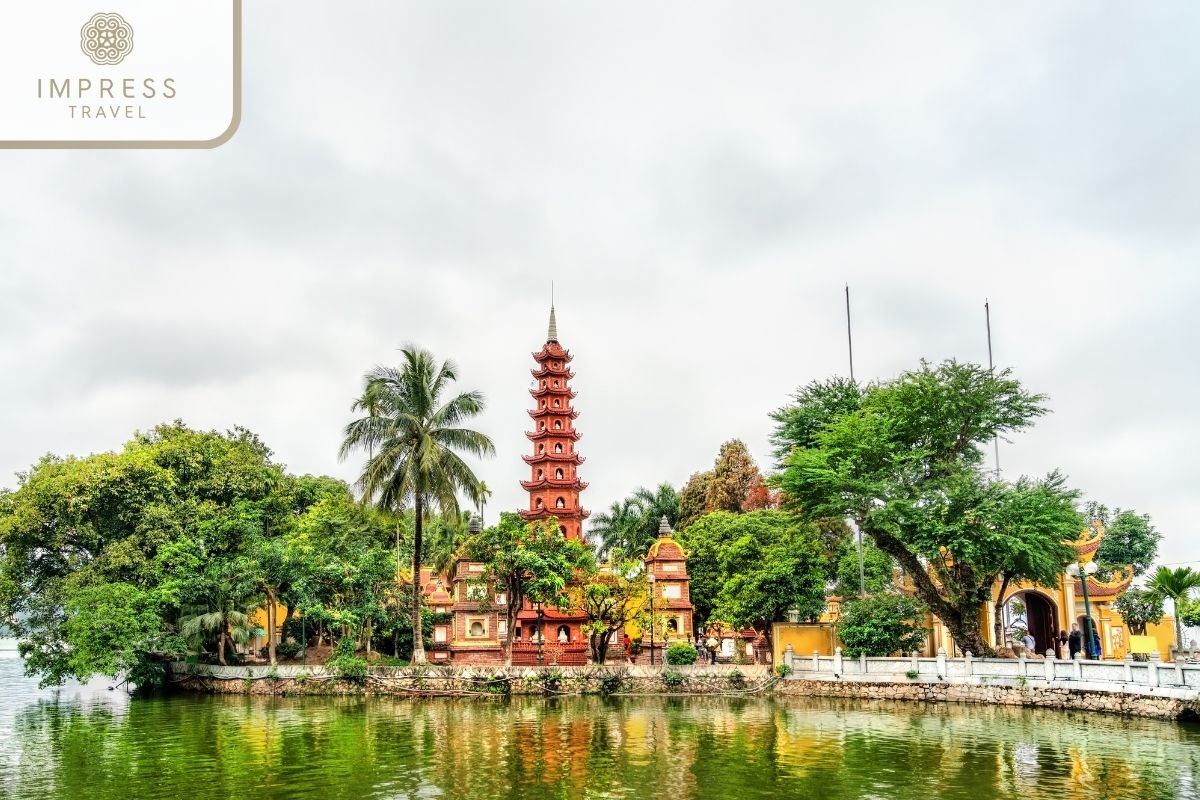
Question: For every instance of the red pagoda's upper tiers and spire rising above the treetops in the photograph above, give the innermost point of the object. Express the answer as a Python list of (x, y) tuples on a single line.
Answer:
[(554, 484)]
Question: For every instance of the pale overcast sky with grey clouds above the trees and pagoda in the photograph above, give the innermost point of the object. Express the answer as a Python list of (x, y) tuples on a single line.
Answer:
[(700, 181)]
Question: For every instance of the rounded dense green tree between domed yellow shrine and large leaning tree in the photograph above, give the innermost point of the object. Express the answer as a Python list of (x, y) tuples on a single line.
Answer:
[(771, 564)]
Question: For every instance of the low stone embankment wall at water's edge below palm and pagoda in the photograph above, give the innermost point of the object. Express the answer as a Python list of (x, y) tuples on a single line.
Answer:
[(478, 682)]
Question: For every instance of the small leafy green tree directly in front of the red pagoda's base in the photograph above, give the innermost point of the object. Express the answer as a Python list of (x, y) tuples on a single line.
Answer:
[(529, 562)]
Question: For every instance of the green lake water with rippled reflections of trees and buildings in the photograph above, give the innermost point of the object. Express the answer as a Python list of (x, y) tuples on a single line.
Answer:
[(92, 744)]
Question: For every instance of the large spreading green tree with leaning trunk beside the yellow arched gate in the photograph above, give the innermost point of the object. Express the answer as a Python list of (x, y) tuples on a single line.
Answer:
[(907, 467)]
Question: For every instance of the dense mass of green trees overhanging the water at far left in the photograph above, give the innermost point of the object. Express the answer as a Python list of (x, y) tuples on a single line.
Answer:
[(115, 562)]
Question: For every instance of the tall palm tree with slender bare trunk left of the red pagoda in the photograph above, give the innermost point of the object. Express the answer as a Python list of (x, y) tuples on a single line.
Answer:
[(412, 438)]
